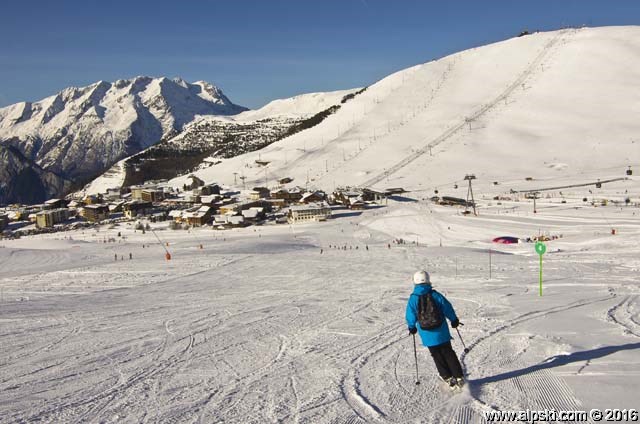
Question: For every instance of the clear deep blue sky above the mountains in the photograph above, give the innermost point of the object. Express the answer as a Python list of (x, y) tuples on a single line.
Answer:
[(257, 51)]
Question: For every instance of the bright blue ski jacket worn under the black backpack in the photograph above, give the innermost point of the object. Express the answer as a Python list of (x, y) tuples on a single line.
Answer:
[(430, 337)]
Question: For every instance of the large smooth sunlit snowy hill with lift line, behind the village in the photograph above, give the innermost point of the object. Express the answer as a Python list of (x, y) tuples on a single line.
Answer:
[(549, 105)]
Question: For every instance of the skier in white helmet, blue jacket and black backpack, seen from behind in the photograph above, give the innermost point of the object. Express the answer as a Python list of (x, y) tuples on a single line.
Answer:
[(438, 340)]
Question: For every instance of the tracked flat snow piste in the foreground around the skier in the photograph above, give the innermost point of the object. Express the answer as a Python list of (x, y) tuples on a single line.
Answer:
[(260, 326)]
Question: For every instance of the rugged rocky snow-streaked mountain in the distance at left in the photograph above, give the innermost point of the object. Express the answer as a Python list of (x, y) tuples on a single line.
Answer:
[(80, 132)]
